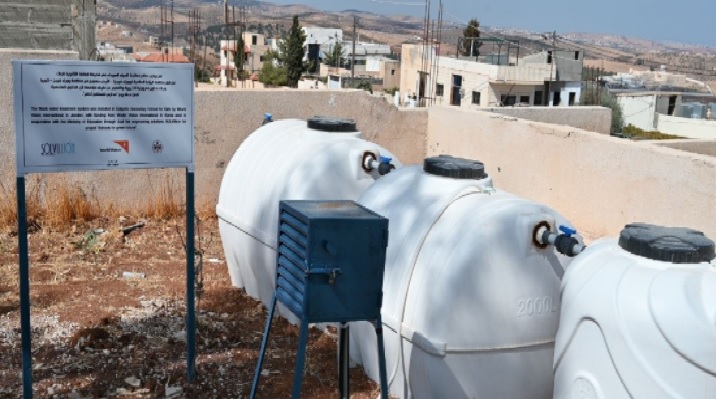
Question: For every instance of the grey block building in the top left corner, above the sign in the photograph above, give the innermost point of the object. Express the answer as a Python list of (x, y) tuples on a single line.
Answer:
[(49, 25)]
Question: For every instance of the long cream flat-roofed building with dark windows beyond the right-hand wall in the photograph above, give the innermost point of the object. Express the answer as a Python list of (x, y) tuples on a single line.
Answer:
[(440, 80)]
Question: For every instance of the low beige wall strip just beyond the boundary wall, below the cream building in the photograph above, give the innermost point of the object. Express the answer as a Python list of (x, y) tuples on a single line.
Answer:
[(593, 119)]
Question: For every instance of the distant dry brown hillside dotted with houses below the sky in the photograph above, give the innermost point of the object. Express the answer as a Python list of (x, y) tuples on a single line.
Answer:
[(618, 53)]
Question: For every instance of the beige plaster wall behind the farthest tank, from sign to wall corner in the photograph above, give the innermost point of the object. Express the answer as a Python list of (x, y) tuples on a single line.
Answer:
[(225, 118)]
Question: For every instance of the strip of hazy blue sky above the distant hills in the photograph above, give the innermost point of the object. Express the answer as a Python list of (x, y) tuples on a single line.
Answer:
[(691, 22)]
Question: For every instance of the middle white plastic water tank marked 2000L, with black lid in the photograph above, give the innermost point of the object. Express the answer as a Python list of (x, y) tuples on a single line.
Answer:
[(470, 301)]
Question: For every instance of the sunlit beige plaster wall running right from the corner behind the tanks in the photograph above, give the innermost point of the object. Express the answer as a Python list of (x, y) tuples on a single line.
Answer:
[(598, 182)]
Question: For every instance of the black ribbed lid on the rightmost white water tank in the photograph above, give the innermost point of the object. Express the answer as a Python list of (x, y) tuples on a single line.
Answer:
[(667, 244)]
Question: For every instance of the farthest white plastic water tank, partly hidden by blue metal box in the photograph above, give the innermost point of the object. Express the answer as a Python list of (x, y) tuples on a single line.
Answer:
[(319, 159)]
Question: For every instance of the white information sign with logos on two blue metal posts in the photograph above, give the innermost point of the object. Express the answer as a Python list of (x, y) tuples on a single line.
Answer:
[(79, 116)]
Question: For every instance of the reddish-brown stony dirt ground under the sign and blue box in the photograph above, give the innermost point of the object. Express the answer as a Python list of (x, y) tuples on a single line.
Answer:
[(99, 334)]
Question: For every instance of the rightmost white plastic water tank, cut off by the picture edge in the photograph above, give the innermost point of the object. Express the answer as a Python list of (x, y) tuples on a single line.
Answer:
[(639, 318)]
